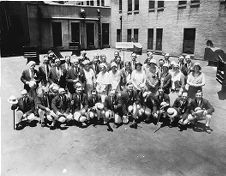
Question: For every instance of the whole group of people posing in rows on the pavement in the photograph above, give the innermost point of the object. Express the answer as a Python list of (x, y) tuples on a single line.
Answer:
[(82, 92)]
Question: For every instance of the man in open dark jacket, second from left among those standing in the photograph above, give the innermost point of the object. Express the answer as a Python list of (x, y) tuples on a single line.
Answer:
[(44, 71)]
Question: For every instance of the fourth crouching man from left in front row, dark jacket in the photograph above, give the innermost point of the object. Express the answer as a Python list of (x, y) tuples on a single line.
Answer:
[(79, 105)]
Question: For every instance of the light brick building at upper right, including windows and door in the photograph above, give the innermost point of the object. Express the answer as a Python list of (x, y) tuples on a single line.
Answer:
[(175, 27)]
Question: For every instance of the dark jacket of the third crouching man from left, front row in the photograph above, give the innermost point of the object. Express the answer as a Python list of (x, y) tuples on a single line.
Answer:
[(61, 104)]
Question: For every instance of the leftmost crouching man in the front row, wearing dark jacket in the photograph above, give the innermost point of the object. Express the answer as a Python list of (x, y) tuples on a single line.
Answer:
[(24, 109)]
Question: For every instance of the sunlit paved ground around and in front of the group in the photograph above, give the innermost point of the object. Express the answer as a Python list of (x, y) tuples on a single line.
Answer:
[(124, 152)]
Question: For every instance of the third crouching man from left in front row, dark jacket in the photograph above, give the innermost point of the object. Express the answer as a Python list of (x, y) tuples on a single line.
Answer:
[(61, 106)]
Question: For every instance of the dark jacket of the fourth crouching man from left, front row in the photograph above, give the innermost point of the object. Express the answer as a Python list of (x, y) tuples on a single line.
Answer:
[(78, 100)]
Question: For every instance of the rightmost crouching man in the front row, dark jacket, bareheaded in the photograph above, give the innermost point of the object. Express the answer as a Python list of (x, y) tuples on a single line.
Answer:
[(200, 109)]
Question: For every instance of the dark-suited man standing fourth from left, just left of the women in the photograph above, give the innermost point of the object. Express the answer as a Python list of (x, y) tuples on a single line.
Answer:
[(75, 74)]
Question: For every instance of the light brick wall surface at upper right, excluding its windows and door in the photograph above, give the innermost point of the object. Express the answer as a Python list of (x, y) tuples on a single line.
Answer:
[(209, 19)]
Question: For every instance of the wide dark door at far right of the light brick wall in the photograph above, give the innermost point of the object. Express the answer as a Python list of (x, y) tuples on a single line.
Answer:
[(189, 41)]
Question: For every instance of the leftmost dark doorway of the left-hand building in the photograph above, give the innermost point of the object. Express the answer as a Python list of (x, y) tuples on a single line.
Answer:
[(57, 34)]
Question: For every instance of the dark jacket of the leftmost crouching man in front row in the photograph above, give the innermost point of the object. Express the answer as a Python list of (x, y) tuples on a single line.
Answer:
[(26, 105)]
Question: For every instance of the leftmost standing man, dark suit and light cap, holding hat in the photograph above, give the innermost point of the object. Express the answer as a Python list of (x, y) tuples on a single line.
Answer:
[(31, 78)]
